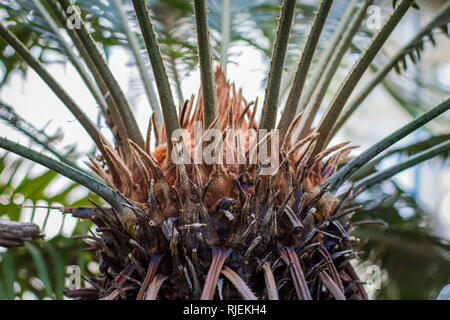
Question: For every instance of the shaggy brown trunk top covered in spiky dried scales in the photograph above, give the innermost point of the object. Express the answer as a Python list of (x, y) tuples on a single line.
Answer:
[(187, 223)]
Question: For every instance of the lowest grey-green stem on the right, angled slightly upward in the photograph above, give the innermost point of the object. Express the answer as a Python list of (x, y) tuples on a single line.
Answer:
[(412, 161)]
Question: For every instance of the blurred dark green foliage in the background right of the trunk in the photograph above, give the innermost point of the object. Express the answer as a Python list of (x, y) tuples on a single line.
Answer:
[(416, 263)]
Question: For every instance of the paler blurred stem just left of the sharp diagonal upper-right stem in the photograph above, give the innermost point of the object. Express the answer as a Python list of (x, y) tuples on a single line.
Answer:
[(331, 69)]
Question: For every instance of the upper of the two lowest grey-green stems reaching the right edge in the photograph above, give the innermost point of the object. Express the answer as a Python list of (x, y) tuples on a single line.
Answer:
[(351, 167)]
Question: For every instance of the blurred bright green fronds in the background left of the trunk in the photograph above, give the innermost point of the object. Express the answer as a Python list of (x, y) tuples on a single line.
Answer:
[(40, 266)]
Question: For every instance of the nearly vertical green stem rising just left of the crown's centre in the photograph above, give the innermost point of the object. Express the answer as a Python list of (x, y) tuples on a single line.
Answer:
[(208, 84)]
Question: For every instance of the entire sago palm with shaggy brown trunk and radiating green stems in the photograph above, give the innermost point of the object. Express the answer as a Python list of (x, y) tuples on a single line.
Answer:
[(226, 229)]
